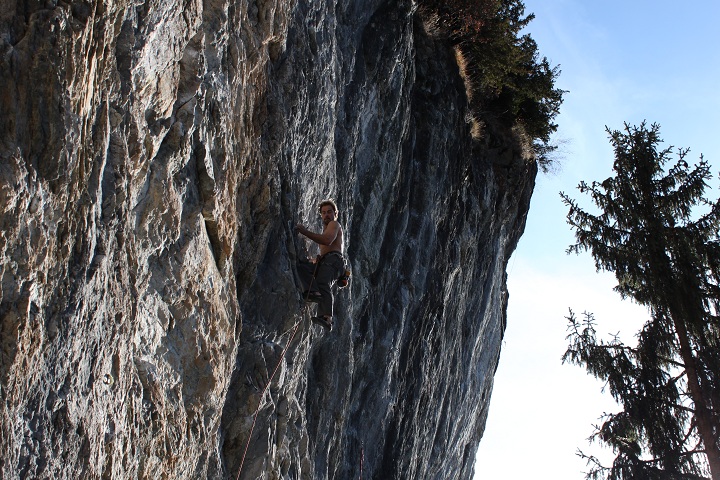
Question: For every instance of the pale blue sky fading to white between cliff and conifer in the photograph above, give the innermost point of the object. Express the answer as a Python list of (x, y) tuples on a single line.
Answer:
[(621, 61)]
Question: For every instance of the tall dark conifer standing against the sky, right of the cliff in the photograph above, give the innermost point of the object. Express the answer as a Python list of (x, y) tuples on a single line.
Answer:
[(666, 256)]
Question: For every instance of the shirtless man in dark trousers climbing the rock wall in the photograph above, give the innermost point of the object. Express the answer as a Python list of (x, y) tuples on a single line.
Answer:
[(327, 267)]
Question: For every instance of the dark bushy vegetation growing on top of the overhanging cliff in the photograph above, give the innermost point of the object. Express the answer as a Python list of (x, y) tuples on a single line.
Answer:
[(508, 82)]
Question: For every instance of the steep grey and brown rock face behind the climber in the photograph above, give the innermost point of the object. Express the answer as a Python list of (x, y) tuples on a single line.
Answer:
[(154, 158)]
